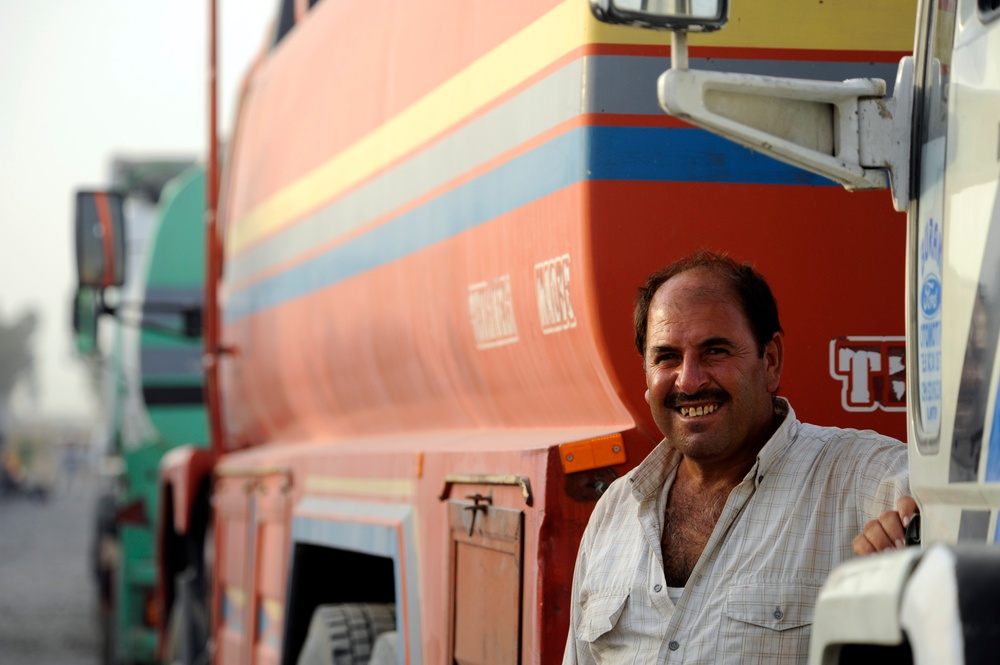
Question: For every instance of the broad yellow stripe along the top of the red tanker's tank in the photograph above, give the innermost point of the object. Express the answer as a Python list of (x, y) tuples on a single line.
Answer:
[(833, 24)]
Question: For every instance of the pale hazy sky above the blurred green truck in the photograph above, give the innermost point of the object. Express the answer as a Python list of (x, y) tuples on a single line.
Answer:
[(80, 82)]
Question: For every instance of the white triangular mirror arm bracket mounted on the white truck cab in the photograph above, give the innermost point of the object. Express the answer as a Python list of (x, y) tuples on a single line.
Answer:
[(868, 136)]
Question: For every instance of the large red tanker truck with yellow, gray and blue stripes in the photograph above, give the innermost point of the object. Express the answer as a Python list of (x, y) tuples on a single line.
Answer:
[(420, 372)]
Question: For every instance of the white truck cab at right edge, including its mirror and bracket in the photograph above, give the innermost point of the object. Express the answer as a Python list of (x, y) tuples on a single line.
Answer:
[(934, 142)]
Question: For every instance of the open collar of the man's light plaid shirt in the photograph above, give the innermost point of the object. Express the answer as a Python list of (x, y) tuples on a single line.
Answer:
[(650, 475)]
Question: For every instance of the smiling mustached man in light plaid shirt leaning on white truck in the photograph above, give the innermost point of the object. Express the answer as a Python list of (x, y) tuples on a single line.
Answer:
[(713, 549)]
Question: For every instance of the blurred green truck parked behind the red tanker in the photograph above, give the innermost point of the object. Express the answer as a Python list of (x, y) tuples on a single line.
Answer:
[(153, 386)]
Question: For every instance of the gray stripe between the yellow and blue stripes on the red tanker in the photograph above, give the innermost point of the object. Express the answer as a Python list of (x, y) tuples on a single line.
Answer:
[(593, 84)]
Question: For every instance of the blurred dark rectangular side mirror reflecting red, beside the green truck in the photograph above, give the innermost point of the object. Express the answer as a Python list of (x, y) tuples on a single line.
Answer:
[(100, 239)]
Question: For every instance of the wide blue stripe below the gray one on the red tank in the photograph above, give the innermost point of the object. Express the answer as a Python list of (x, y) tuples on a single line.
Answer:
[(616, 153)]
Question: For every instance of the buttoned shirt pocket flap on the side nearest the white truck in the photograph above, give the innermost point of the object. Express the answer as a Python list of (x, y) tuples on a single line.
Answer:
[(777, 606)]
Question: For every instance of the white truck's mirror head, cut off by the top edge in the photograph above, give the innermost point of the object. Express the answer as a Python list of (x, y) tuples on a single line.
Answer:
[(675, 15)]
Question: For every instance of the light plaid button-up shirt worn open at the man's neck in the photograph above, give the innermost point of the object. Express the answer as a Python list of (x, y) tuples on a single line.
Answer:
[(751, 595)]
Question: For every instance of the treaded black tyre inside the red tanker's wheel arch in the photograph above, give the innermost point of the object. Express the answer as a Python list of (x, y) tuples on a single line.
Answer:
[(343, 634)]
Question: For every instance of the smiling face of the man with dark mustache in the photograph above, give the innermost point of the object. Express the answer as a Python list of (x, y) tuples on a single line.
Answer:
[(709, 390)]
